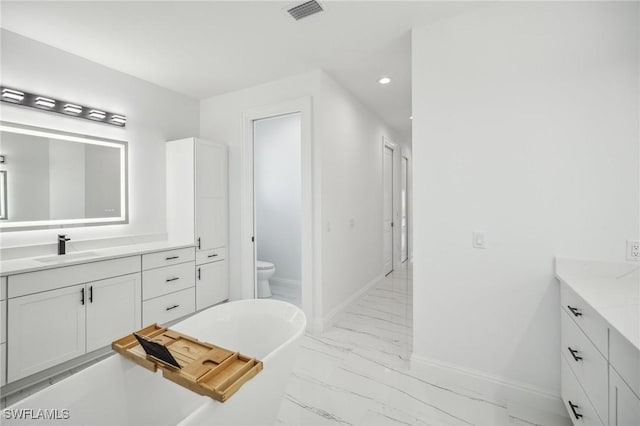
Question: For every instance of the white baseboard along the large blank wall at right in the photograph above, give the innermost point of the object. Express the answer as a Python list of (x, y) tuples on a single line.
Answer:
[(521, 399)]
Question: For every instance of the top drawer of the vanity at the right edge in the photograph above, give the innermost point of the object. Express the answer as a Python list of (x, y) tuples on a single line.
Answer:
[(590, 322)]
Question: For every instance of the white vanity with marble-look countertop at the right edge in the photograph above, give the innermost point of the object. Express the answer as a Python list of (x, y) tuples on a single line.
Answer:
[(600, 355)]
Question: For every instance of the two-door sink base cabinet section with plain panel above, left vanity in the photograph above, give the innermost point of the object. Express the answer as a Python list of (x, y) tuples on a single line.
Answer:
[(57, 315)]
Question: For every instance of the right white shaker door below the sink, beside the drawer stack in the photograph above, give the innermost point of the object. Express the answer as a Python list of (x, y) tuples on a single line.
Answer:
[(113, 309)]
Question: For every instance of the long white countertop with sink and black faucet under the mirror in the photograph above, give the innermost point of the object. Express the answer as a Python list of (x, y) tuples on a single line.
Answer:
[(30, 264)]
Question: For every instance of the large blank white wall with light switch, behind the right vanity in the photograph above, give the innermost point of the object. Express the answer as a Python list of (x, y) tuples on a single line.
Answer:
[(525, 127)]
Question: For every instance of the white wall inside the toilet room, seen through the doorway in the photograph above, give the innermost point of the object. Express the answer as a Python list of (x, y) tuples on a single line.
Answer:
[(278, 194)]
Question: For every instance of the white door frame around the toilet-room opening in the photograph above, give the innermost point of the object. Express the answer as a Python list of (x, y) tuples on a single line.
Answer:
[(247, 211)]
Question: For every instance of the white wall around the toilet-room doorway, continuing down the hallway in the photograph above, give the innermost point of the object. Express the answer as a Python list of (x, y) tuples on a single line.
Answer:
[(347, 150)]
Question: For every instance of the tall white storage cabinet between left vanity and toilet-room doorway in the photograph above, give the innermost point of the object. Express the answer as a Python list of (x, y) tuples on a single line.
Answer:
[(197, 211)]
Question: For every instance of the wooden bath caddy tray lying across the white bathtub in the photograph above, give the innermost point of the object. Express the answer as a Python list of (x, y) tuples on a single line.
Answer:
[(204, 368)]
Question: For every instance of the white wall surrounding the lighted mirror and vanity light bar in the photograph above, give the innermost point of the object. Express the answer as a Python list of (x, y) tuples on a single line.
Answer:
[(154, 115)]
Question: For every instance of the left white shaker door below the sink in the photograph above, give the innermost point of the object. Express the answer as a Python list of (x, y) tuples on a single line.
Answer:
[(45, 329)]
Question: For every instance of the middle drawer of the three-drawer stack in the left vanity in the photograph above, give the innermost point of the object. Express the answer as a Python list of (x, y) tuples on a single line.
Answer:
[(160, 281)]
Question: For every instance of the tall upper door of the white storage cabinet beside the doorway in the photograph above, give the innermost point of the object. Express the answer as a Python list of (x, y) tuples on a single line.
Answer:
[(211, 194)]
